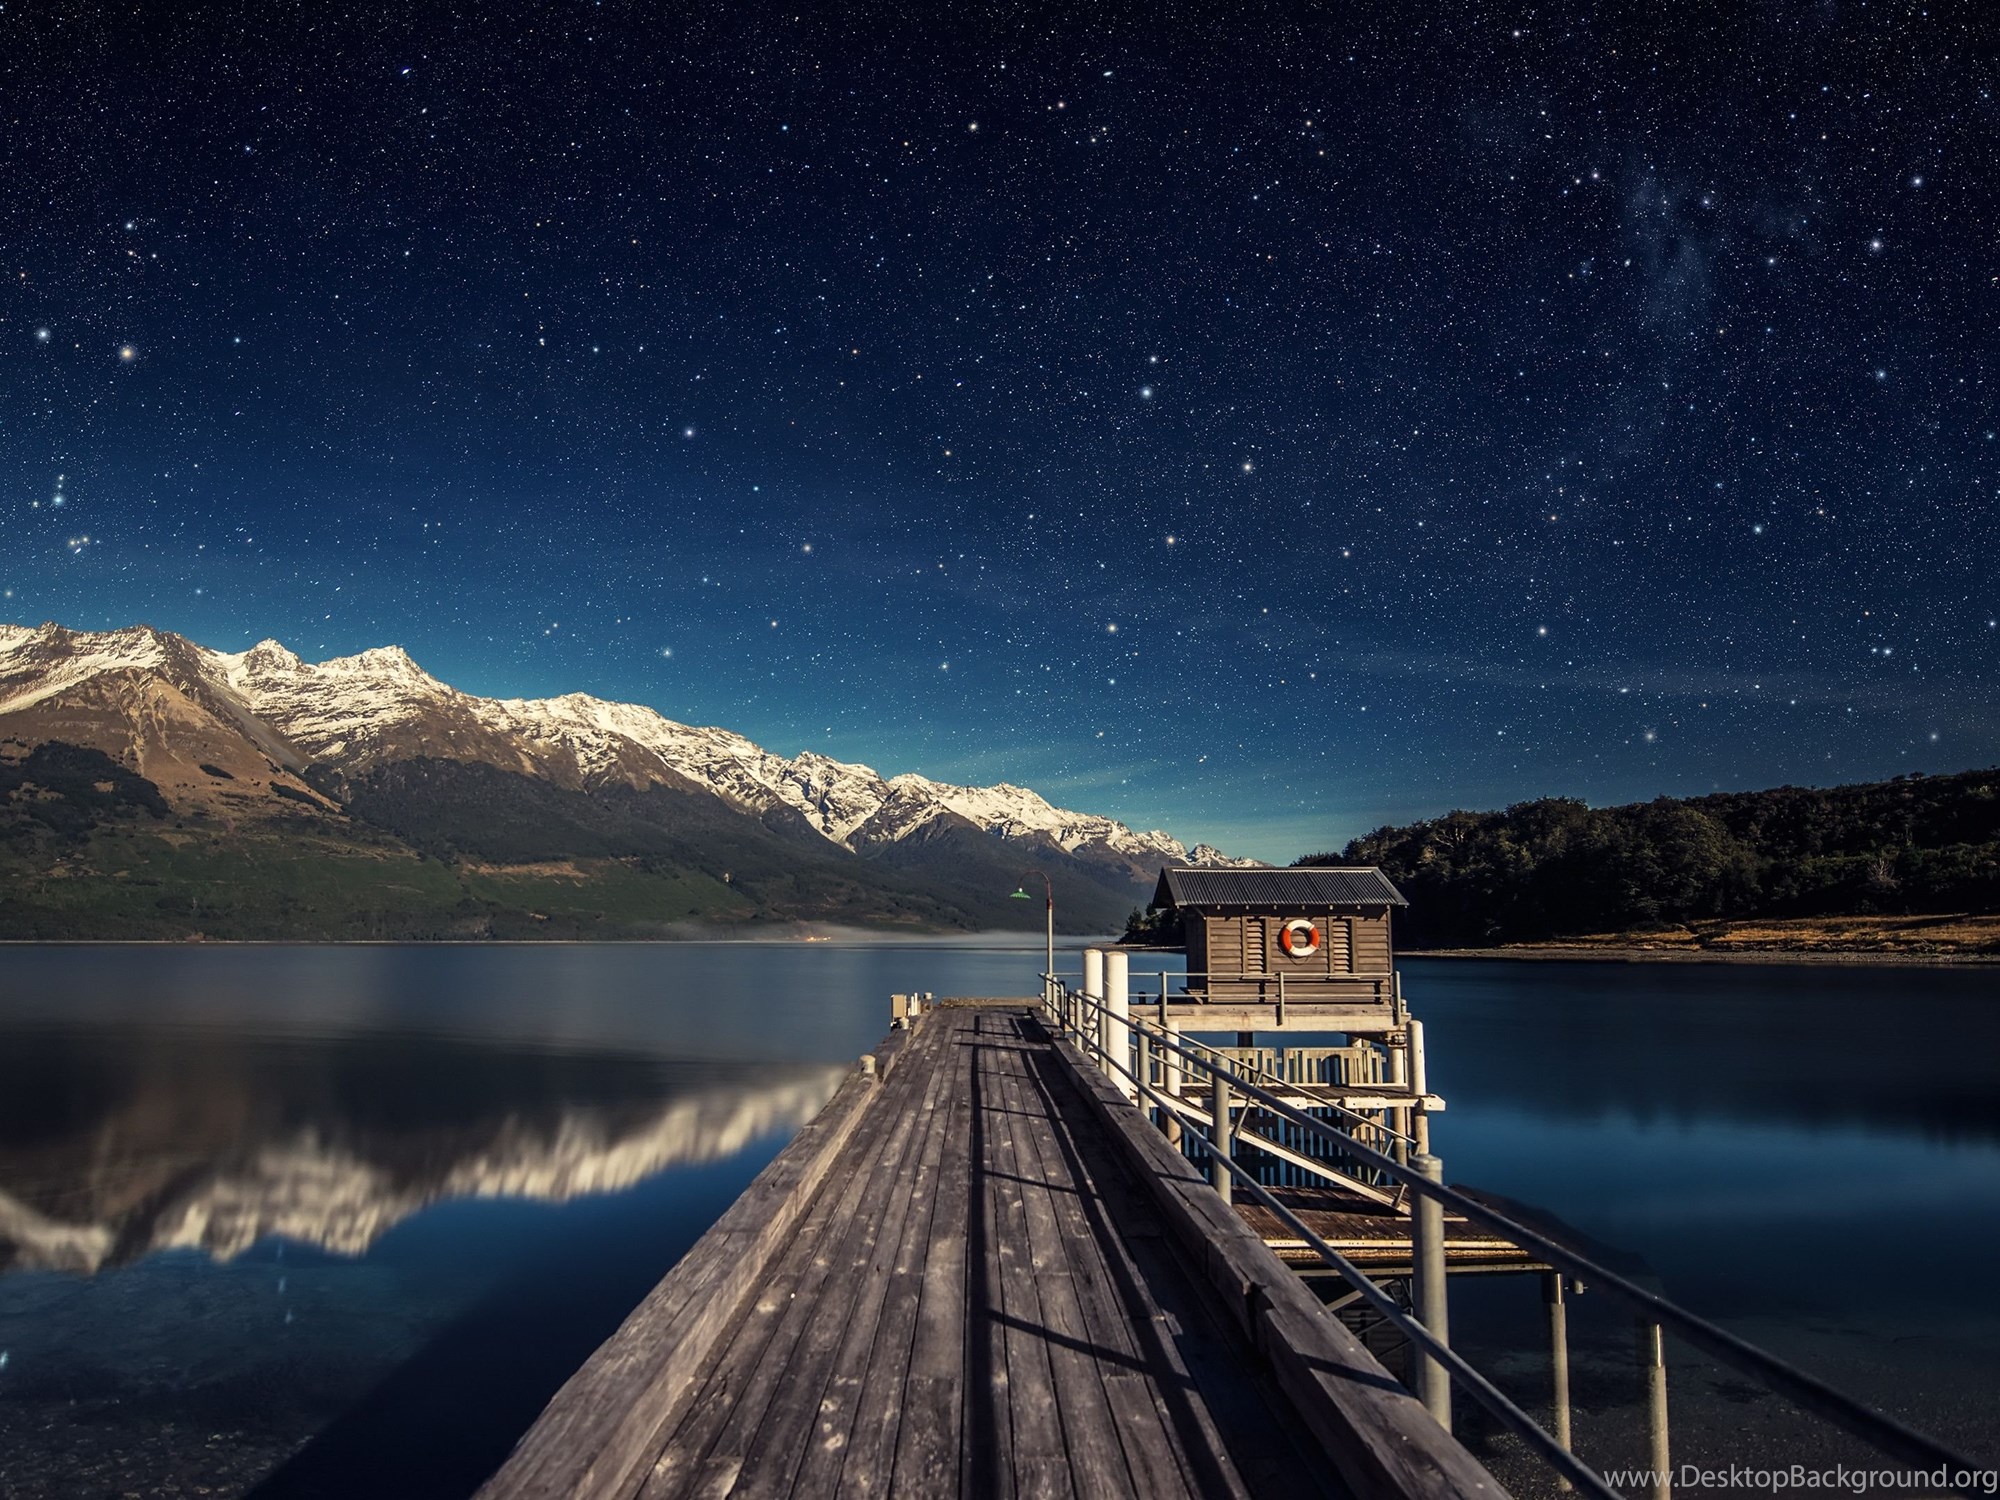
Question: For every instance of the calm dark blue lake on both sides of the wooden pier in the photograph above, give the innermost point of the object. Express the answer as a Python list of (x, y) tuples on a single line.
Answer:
[(339, 1221)]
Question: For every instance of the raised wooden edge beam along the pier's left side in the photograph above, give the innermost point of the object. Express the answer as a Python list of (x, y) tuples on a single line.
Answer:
[(603, 1429)]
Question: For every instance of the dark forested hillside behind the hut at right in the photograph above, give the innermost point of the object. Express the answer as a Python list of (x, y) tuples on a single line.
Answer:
[(1561, 869)]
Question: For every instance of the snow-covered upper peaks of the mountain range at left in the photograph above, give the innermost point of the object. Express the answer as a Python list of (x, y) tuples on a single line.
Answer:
[(151, 691)]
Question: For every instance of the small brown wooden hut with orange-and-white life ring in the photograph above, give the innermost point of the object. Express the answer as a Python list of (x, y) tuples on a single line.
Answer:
[(1313, 935)]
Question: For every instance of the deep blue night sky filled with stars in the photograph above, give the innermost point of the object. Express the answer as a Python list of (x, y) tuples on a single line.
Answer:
[(1247, 421)]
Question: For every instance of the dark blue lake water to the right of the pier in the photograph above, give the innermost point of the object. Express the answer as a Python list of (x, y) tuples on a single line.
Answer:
[(1809, 1155)]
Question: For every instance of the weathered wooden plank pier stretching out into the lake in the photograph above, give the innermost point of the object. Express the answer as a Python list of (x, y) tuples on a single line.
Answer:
[(983, 1273)]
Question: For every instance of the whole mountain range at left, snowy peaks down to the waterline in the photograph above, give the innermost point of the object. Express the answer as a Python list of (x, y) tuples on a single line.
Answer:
[(153, 787)]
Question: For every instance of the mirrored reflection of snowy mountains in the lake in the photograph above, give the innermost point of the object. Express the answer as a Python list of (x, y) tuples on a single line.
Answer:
[(197, 1143)]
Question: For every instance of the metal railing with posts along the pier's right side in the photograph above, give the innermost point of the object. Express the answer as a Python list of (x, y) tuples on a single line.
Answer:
[(1127, 1047)]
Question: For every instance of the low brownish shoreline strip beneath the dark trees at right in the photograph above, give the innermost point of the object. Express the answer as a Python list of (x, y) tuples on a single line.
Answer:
[(1953, 939)]
